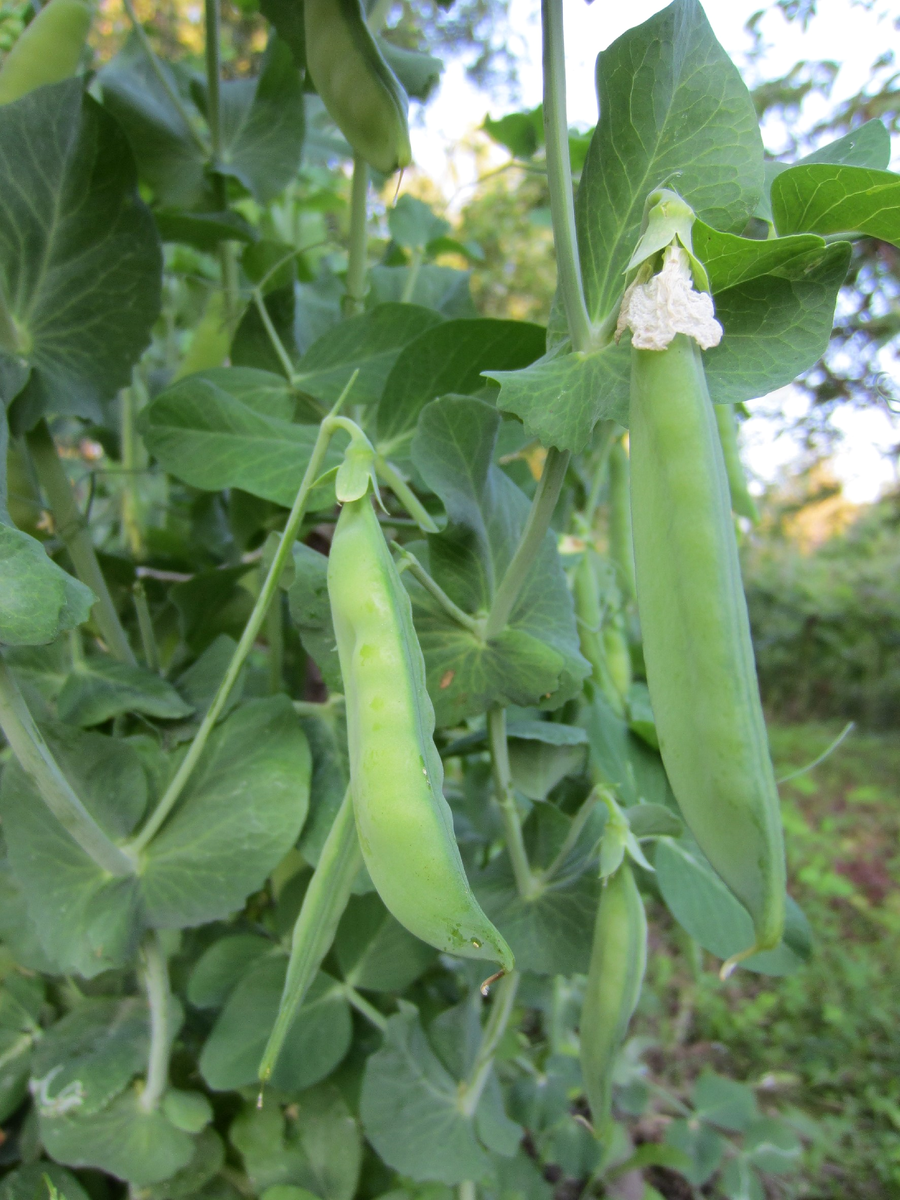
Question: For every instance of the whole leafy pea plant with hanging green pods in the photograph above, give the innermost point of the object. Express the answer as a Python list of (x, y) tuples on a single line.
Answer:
[(370, 668)]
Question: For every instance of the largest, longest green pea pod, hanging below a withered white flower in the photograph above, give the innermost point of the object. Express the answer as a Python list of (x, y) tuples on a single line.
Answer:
[(697, 633)]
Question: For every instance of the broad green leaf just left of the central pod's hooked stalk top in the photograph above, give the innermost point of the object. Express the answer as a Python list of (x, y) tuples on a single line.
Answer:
[(232, 428)]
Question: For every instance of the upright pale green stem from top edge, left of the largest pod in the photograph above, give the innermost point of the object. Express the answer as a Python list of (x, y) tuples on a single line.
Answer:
[(560, 177)]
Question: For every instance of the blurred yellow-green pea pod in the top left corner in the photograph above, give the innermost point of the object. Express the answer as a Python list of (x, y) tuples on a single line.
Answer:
[(49, 51)]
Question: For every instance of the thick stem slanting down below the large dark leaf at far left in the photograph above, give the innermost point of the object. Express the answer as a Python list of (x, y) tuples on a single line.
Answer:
[(71, 527)]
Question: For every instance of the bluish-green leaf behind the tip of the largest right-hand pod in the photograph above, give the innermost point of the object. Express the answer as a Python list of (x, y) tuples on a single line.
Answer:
[(704, 907)]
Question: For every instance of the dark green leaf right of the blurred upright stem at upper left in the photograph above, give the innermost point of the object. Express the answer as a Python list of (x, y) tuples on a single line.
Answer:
[(263, 123)]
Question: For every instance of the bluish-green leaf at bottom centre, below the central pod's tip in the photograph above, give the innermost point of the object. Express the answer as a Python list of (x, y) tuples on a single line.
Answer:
[(411, 1109)]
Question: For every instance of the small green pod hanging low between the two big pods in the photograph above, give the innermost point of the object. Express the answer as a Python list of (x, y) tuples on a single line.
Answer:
[(619, 957)]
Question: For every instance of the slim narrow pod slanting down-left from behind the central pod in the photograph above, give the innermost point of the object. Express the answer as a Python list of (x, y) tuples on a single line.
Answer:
[(317, 923)]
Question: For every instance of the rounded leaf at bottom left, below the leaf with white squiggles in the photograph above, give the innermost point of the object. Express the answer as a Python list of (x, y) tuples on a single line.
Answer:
[(123, 1139)]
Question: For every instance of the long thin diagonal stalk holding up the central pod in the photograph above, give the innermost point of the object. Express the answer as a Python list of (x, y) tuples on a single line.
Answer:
[(253, 628)]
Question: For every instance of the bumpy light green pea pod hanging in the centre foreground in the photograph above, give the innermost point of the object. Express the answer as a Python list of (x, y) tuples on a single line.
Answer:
[(405, 825)]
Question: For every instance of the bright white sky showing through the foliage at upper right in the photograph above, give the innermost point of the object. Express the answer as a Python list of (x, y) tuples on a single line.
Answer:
[(843, 33)]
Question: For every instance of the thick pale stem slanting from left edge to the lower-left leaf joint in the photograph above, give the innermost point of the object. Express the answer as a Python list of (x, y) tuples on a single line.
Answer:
[(35, 759)]
